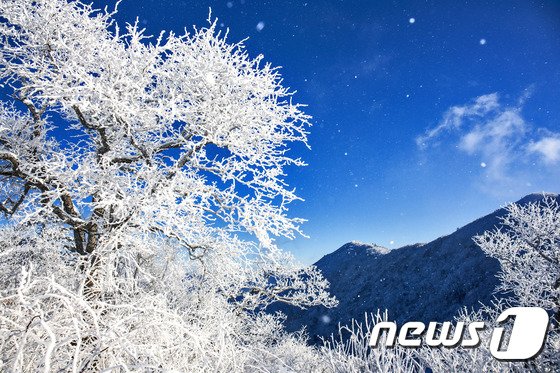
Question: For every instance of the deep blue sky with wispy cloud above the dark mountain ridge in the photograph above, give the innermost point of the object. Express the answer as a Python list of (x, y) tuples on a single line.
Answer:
[(427, 114)]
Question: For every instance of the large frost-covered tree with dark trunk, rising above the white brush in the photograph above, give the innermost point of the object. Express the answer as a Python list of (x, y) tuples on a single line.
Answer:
[(130, 143)]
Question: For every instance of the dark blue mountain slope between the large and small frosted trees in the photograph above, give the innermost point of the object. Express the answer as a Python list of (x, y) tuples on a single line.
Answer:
[(422, 282)]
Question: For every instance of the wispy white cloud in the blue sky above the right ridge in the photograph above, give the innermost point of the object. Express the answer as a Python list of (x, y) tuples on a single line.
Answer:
[(497, 136)]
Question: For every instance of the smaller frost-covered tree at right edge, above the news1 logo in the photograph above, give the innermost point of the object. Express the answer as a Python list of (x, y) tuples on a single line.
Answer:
[(528, 248)]
